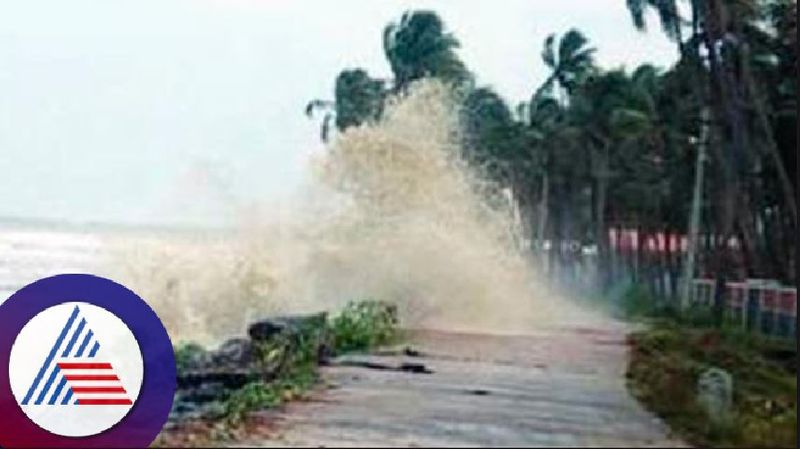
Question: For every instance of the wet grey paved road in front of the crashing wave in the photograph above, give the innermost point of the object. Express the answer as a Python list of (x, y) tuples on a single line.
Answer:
[(557, 387)]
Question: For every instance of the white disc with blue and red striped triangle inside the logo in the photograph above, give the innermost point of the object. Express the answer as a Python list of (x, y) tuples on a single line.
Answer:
[(75, 369)]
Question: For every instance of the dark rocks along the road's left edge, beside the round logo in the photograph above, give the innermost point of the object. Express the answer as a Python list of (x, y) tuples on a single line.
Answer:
[(206, 378)]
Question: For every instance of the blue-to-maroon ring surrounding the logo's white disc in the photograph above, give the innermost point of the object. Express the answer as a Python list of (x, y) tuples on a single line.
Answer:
[(144, 421)]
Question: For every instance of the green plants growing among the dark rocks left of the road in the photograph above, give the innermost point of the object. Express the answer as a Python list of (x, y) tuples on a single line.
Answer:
[(289, 363)]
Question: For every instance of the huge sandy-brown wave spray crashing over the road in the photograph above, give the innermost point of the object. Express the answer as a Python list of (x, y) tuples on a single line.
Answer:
[(398, 216)]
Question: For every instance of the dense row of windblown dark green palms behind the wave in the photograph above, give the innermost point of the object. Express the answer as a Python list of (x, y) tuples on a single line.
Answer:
[(593, 147)]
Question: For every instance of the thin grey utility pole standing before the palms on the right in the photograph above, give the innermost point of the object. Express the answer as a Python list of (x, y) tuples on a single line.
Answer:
[(694, 219)]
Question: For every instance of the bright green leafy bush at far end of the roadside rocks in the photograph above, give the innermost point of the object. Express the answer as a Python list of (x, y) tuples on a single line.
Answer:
[(363, 325)]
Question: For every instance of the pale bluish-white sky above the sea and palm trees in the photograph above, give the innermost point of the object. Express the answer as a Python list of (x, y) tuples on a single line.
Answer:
[(178, 112)]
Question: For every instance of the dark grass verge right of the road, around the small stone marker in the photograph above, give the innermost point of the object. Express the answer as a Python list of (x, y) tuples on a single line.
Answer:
[(668, 358)]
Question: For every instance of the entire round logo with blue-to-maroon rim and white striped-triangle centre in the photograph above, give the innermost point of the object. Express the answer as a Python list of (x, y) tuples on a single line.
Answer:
[(89, 364)]
